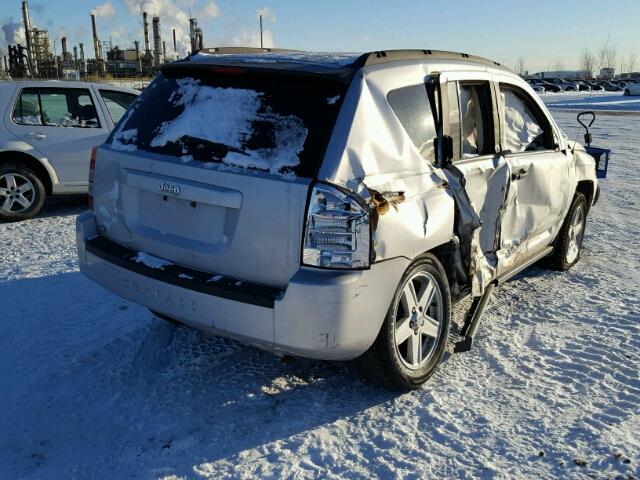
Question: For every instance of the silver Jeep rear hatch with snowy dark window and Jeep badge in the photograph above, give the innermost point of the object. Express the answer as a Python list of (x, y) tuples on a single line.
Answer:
[(211, 167)]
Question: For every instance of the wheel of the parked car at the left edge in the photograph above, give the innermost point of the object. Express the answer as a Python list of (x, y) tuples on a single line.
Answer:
[(22, 193)]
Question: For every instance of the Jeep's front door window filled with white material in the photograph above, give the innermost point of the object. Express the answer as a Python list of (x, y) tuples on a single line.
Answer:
[(524, 130)]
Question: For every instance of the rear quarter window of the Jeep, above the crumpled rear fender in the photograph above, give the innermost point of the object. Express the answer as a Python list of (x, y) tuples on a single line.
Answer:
[(411, 106)]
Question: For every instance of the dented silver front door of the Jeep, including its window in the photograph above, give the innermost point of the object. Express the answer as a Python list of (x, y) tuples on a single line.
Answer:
[(540, 189)]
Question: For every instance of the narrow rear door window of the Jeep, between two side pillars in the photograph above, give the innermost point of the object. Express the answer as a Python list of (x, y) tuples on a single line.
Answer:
[(476, 120)]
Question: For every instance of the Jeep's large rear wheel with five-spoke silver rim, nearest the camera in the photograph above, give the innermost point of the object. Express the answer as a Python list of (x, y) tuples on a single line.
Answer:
[(413, 337)]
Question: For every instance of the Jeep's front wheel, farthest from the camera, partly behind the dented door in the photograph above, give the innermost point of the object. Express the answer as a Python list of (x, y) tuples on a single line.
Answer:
[(568, 246)]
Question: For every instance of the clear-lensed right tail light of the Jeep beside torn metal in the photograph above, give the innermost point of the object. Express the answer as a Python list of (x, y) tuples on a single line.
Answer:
[(337, 232)]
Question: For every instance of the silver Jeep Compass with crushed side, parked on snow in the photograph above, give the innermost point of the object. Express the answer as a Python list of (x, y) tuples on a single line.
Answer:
[(333, 206)]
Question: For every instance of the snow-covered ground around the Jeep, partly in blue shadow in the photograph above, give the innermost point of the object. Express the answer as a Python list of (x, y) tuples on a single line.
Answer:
[(94, 387)]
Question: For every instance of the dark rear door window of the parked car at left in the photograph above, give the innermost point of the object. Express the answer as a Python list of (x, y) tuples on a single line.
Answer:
[(56, 107)]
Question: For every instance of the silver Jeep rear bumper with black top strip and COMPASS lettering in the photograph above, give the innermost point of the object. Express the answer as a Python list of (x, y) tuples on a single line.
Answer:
[(320, 314)]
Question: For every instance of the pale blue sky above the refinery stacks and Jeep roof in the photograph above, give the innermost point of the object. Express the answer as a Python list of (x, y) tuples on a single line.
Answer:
[(540, 31)]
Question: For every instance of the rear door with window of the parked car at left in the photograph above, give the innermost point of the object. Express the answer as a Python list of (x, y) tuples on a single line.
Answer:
[(63, 124)]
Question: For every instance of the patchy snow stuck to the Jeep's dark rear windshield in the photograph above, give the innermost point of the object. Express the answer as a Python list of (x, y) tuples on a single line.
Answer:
[(226, 116)]
